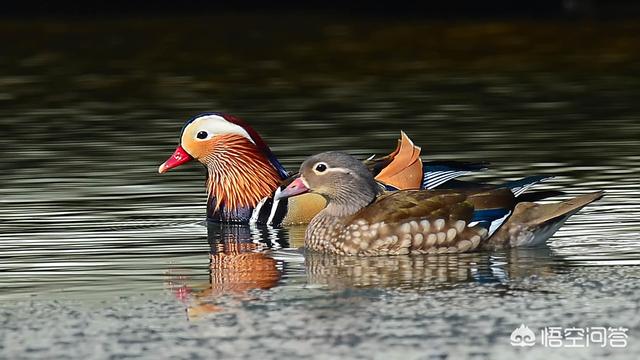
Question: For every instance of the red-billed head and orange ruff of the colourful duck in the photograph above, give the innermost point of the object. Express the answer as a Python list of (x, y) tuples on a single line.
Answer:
[(241, 167)]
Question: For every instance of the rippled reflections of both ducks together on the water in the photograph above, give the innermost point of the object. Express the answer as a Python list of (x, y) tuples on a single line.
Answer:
[(243, 260)]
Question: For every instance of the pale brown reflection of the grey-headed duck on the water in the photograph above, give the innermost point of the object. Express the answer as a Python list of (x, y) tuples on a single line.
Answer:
[(426, 272)]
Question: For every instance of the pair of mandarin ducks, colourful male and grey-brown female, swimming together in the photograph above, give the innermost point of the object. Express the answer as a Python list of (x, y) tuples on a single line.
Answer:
[(391, 205)]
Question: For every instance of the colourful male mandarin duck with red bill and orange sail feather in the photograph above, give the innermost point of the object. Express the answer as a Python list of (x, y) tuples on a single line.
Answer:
[(244, 175)]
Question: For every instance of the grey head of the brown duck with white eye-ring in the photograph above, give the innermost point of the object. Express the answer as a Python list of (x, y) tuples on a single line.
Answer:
[(343, 180)]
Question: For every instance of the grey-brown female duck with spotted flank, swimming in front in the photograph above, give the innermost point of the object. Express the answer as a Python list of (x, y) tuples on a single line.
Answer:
[(360, 219)]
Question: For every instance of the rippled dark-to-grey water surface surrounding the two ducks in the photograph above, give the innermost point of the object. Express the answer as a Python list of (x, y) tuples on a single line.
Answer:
[(102, 257)]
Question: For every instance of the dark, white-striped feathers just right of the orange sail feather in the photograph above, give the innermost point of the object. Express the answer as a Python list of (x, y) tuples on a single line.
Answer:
[(436, 173)]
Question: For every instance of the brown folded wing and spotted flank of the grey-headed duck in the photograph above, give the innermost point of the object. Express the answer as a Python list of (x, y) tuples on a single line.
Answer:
[(421, 221)]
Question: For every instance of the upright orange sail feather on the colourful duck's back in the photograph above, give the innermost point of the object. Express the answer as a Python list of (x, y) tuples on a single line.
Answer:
[(404, 171)]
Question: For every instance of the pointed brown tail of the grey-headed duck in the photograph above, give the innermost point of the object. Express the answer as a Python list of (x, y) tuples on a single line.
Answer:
[(533, 224)]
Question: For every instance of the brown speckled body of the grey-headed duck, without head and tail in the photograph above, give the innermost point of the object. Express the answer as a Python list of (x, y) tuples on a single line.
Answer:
[(419, 222)]
